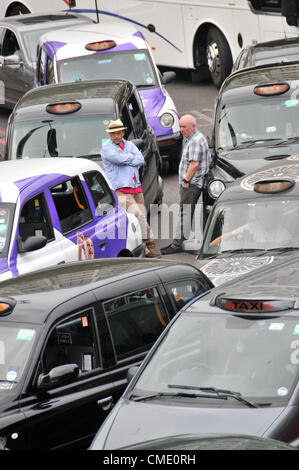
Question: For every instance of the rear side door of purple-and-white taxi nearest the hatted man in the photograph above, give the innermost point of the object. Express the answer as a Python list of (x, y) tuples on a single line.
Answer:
[(87, 230)]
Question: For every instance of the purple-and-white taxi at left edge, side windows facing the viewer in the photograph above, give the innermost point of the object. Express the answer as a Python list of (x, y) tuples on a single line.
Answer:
[(55, 211)]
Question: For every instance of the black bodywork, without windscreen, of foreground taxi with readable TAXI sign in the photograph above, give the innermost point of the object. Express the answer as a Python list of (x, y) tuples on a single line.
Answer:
[(133, 422)]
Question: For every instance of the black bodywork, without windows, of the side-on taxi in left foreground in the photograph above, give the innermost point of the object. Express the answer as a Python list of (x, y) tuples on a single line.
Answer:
[(67, 416)]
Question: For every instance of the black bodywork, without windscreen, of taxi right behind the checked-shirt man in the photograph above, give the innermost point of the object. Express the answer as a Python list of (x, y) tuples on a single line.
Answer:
[(230, 164)]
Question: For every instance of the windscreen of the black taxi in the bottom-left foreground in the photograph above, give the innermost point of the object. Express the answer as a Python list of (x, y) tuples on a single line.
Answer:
[(16, 343)]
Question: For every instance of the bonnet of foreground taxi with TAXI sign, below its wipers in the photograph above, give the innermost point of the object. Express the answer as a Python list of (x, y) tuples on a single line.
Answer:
[(132, 422)]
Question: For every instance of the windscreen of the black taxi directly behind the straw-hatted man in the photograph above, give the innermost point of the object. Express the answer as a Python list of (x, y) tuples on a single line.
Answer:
[(60, 137)]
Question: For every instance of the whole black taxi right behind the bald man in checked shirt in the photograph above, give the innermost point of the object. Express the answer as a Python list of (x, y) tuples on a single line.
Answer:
[(255, 122)]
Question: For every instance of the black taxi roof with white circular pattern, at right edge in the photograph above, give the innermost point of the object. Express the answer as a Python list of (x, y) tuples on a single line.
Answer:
[(243, 188)]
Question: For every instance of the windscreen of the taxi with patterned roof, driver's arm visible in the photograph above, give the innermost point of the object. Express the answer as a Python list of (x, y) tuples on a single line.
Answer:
[(253, 225)]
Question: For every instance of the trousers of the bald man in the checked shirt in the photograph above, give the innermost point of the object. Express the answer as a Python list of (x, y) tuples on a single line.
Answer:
[(188, 200)]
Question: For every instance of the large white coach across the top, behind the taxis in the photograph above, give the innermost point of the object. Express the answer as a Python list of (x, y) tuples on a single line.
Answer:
[(203, 36)]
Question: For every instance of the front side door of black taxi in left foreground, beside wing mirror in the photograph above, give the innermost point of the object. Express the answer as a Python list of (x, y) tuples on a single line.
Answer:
[(67, 414)]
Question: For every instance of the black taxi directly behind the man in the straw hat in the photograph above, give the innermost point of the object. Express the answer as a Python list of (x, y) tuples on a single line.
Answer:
[(70, 120)]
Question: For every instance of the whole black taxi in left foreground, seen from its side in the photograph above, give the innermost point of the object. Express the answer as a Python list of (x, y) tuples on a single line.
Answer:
[(68, 336)]
